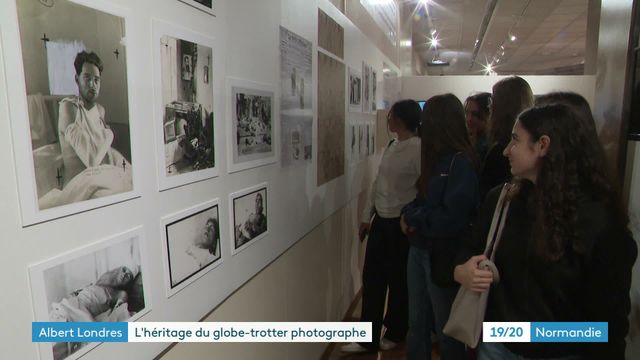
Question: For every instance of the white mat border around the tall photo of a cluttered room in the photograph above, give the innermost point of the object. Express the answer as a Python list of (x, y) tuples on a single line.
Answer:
[(160, 28)]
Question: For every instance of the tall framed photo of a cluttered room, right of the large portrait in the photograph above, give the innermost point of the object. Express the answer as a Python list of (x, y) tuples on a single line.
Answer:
[(184, 104)]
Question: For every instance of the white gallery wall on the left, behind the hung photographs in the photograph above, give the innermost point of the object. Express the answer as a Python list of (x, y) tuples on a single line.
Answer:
[(245, 37)]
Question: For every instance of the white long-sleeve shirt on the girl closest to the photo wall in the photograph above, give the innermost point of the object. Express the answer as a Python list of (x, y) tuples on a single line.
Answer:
[(395, 184)]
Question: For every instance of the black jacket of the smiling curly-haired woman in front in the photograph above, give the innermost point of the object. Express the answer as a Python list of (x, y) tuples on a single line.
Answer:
[(578, 287)]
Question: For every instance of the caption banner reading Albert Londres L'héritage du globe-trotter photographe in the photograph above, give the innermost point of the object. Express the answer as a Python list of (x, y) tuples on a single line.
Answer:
[(201, 332)]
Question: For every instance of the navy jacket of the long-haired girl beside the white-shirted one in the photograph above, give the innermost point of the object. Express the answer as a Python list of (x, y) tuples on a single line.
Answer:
[(450, 203)]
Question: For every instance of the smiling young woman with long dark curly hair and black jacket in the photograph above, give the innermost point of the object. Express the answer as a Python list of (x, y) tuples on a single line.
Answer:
[(565, 253)]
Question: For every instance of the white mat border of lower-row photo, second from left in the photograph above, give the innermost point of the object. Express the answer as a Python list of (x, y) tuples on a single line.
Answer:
[(182, 215)]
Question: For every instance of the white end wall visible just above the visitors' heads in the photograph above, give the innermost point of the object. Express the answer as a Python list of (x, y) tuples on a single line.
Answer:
[(423, 87)]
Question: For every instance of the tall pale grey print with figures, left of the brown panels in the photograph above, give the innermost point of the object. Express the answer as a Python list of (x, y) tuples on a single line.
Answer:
[(296, 110)]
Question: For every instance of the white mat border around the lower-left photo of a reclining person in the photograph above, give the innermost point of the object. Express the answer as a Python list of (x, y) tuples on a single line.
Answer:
[(37, 287)]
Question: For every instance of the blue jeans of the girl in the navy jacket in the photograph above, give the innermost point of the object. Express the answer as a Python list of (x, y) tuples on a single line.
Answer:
[(429, 307)]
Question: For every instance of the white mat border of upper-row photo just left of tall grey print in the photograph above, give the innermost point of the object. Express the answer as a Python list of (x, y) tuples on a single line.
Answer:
[(232, 83)]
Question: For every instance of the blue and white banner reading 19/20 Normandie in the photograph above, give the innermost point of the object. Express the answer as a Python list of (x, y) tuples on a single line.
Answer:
[(551, 332)]
